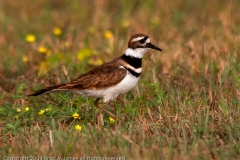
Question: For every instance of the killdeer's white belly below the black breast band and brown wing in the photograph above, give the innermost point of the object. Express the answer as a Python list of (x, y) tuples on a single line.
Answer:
[(110, 93)]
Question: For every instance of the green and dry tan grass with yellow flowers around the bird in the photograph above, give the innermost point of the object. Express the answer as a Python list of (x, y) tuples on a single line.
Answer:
[(186, 105)]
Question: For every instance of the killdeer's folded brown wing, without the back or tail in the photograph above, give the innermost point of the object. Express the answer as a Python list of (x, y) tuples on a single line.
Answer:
[(97, 80)]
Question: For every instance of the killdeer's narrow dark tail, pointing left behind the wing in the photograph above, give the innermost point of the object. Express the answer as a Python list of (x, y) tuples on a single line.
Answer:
[(49, 89)]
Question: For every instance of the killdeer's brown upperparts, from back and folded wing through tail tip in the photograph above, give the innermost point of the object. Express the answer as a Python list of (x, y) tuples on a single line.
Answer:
[(106, 75)]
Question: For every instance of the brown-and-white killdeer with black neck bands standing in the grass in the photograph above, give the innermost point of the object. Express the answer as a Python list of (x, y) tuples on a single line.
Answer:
[(110, 79)]
